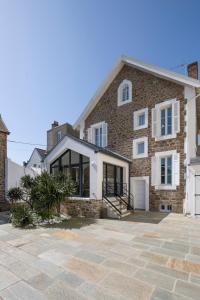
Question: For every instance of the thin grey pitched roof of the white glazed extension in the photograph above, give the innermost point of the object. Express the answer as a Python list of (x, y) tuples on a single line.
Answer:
[(93, 147)]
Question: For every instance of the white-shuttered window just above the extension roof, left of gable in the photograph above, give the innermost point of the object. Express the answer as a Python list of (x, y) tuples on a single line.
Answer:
[(97, 134)]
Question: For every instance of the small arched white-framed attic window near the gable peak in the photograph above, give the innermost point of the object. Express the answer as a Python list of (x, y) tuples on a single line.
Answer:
[(124, 92)]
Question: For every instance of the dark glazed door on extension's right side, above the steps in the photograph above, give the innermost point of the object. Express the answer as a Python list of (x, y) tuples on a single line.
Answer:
[(112, 179)]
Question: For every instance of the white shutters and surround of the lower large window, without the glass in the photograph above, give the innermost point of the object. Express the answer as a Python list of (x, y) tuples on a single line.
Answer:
[(156, 173)]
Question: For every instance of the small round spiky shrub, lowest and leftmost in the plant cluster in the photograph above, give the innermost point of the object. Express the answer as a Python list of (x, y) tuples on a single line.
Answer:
[(21, 215)]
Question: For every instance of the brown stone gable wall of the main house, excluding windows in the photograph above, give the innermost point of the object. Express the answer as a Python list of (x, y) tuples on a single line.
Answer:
[(148, 90)]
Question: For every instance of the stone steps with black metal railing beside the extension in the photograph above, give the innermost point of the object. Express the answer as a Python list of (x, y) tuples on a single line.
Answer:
[(117, 209)]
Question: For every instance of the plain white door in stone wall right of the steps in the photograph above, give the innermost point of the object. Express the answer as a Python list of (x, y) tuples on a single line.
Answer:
[(138, 191)]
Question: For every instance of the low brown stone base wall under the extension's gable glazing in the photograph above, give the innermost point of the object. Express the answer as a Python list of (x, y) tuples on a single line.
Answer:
[(83, 207)]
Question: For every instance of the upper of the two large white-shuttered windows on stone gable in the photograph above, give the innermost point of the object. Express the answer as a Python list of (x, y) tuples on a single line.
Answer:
[(166, 120)]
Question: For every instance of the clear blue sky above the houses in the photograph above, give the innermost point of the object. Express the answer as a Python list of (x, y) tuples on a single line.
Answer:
[(55, 53)]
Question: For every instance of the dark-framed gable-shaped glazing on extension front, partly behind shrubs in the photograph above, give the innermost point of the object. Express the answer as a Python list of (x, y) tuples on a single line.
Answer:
[(75, 166)]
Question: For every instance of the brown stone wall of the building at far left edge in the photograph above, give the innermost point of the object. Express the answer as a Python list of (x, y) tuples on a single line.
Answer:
[(3, 156)]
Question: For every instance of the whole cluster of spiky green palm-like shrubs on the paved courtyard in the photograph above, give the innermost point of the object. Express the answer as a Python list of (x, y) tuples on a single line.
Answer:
[(40, 196)]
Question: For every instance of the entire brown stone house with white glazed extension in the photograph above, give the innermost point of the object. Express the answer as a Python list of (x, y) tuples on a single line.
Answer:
[(139, 140)]
